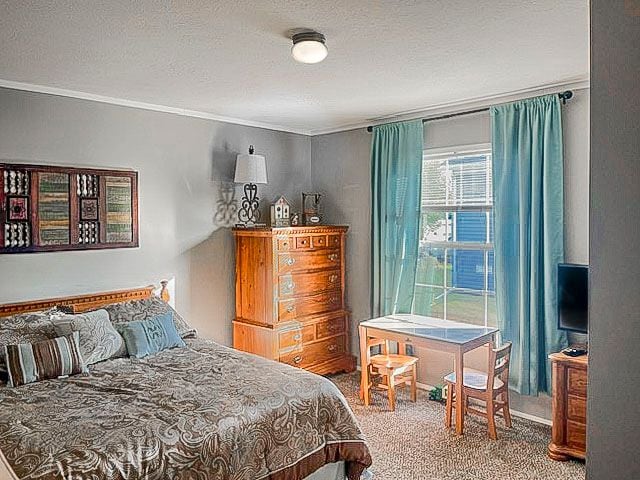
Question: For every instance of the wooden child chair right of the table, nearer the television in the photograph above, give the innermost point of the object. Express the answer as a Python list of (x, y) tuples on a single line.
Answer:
[(486, 387)]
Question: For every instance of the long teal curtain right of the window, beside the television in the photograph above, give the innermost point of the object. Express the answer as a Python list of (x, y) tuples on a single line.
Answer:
[(529, 234)]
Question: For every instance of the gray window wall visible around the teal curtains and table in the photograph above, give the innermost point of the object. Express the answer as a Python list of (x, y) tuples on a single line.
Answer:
[(340, 169)]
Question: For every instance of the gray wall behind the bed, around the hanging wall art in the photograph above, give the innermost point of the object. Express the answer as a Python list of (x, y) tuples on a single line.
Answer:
[(181, 162)]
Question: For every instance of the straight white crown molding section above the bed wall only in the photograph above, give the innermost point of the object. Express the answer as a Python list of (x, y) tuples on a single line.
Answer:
[(61, 92)]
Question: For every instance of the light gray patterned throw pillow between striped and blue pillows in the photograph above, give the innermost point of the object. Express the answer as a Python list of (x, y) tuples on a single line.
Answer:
[(99, 340)]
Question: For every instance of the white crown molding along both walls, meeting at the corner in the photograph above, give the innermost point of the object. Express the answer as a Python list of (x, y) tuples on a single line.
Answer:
[(442, 108)]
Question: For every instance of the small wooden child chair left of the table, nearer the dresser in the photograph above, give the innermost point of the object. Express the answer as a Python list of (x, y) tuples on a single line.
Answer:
[(394, 370)]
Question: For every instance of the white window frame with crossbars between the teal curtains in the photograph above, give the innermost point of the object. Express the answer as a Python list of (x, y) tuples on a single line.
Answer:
[(486, 247)]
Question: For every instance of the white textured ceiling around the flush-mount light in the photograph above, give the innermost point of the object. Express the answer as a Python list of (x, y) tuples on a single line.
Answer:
[(232, 58)]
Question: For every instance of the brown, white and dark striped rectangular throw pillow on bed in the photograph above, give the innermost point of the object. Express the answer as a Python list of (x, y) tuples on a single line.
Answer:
[(33, 362)]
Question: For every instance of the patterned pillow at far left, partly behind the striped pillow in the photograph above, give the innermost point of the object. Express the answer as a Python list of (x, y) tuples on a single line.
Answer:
[(24, 328)]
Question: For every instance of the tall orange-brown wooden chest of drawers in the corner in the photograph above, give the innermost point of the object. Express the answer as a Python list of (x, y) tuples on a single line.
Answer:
[(290, 303)]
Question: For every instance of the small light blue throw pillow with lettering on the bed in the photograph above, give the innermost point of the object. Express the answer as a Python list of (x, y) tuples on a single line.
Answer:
[(144, 337)]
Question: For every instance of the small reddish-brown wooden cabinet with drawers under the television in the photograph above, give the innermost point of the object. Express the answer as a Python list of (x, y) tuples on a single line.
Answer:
[(569, 405)]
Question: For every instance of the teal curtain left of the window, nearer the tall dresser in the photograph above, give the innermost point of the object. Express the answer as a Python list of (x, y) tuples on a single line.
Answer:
[(396, 171)]
